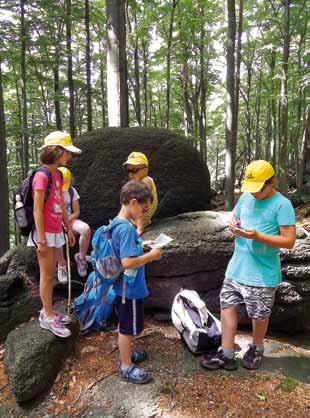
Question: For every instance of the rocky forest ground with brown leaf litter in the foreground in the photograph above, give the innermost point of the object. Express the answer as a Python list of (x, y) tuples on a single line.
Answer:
[(88, 383)]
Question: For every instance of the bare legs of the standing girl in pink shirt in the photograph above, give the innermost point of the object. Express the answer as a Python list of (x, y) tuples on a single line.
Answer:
[(47, 263)]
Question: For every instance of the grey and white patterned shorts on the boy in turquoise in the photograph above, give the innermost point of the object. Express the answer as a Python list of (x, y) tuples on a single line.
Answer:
[(258, 300)]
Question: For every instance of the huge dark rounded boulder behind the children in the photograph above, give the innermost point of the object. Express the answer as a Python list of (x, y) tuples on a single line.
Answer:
[(181, 177)]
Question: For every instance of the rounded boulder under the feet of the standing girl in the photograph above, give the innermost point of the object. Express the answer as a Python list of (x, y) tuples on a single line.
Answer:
[(33, 357)]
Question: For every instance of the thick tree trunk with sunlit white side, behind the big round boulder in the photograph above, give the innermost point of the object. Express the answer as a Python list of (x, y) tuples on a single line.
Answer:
[(117, 64)]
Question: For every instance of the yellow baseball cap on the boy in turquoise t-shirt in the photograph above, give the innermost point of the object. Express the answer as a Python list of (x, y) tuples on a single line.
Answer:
[(256, 173)]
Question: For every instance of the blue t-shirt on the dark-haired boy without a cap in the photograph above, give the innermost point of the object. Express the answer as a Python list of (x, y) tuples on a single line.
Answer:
[(126, 243)]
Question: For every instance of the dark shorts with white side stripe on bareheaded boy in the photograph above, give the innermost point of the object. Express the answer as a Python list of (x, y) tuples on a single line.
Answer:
[(130, 315)]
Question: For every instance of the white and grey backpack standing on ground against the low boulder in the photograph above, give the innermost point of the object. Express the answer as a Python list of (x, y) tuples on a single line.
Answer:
[(200, 330)]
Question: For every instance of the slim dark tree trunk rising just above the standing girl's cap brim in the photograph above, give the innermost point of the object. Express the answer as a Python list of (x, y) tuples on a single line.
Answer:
[(70, 70)]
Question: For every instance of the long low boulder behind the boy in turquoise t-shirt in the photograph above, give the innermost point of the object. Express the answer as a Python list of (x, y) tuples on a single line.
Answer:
[(198, 257)]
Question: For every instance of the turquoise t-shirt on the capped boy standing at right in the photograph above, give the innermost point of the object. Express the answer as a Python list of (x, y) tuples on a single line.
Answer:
[(254, 263)]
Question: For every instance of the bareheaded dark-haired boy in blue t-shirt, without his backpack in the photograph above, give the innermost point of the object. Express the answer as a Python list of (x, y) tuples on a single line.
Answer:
[(135, 198)]
